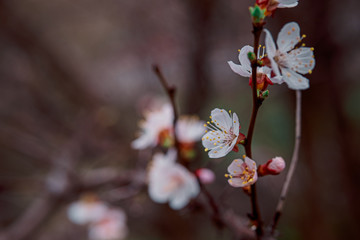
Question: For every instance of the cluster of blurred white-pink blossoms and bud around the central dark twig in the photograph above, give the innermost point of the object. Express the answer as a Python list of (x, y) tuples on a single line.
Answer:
[(168, 180)]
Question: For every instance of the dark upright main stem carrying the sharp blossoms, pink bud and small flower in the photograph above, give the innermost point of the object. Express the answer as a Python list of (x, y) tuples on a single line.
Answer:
[(256, 217)]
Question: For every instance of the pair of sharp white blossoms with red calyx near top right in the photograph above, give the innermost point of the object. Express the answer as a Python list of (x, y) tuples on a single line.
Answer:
[(283, 64)]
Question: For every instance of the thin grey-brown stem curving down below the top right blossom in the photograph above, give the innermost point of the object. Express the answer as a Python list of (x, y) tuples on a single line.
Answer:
[(294, 160)]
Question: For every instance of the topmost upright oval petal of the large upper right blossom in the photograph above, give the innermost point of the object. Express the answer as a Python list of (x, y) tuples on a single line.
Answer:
[(288, 37)]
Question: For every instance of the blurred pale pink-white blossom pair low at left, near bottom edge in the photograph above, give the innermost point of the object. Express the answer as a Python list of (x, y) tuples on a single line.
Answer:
[(104, 223)]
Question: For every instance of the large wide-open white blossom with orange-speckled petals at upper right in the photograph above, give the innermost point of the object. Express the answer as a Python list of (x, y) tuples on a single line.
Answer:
[(287, 62)]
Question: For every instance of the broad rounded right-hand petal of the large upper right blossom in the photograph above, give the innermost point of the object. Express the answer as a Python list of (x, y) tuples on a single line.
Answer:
[(301, 60)]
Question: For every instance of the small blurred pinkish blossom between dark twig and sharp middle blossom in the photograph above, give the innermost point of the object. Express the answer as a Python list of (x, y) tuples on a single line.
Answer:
[(189, 129)]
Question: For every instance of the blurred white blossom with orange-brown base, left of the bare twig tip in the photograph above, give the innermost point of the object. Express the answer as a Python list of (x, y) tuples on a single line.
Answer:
[(156, 129)]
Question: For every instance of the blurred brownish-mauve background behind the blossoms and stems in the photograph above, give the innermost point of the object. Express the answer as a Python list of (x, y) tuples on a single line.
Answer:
[(75, 77)]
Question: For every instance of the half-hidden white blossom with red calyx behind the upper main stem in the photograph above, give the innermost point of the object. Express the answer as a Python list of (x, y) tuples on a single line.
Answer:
[(244, 68)]
